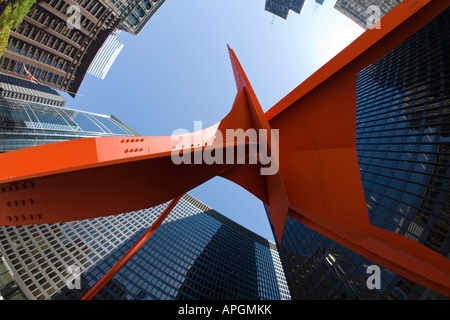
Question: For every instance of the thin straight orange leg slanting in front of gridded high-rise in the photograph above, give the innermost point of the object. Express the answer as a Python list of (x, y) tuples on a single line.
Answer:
[(142, 240)]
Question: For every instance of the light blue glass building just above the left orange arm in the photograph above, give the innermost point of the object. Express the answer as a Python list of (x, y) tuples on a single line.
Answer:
[(26, 124)]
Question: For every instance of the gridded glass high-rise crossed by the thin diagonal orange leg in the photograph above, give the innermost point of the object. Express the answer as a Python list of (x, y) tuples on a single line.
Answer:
[(195, 254)]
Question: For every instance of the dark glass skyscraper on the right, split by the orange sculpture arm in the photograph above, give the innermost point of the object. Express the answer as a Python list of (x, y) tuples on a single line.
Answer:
[(403, 144)]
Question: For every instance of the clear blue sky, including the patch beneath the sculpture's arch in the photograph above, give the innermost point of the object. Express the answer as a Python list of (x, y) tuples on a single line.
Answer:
[(177, 71)]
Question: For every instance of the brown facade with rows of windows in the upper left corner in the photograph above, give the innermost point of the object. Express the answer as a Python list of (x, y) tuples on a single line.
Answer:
[(56, 52)]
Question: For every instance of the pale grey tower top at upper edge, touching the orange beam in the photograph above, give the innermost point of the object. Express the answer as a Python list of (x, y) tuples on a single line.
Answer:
[(362, 12)]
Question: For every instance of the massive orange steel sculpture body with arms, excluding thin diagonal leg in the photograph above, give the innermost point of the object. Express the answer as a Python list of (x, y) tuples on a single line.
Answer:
[(318, 181)]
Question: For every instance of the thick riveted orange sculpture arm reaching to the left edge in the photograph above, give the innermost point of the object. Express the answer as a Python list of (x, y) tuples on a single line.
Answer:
[(93, 177)]
